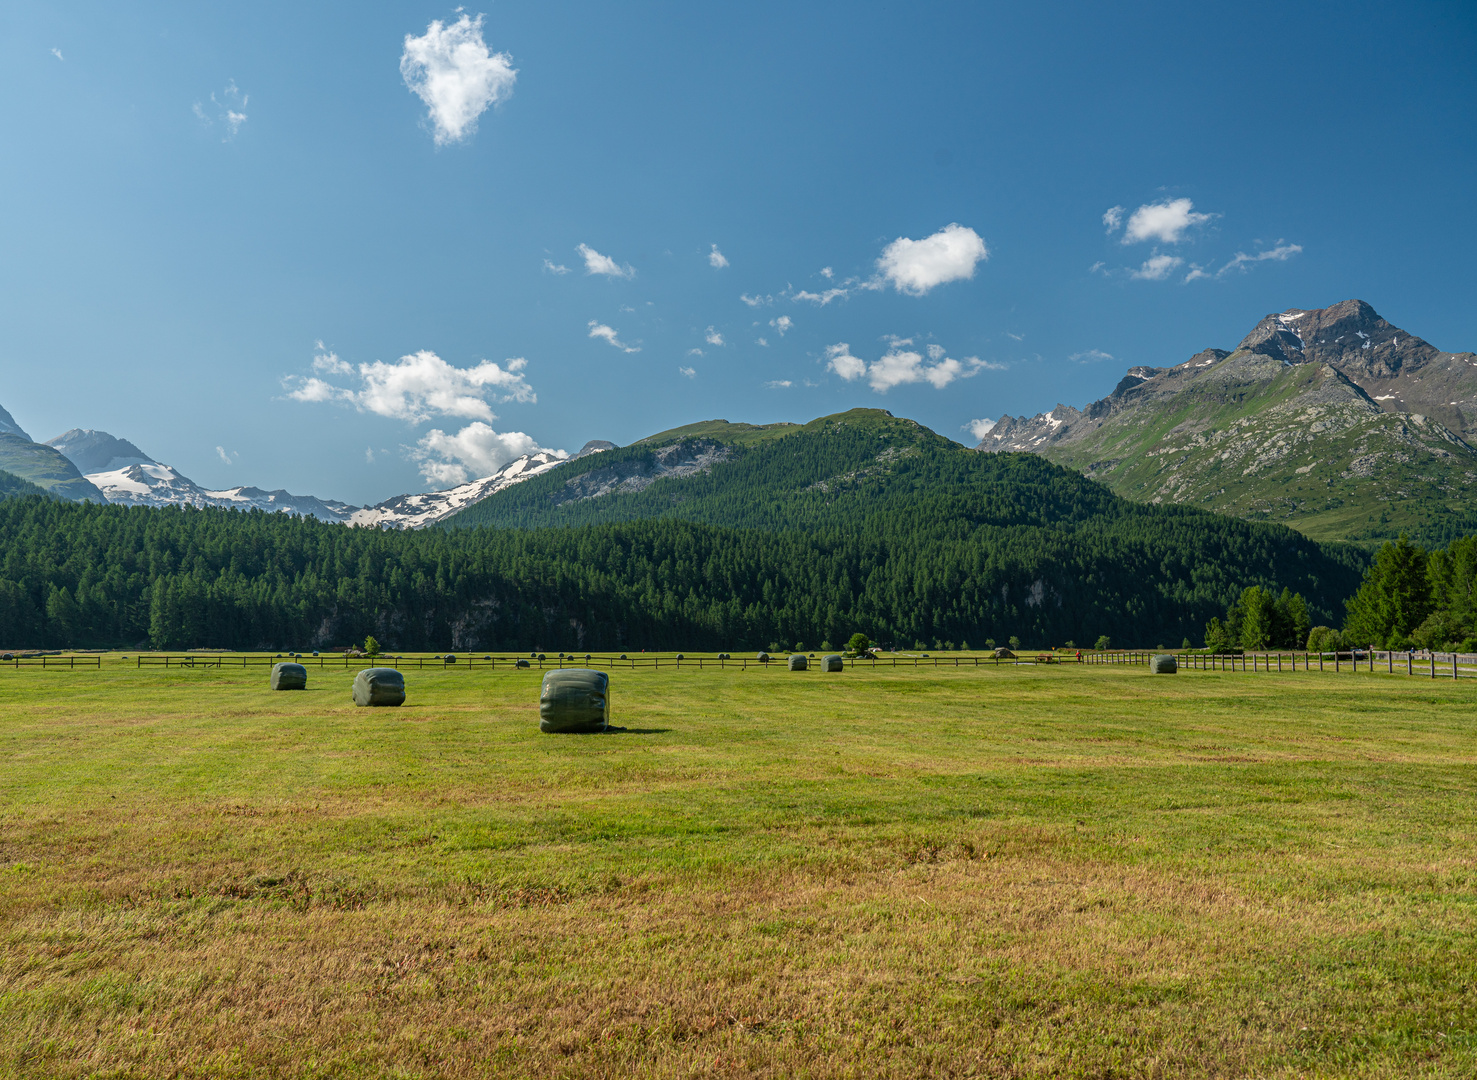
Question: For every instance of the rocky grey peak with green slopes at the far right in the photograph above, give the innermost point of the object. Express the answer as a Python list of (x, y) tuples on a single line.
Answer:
[(1330, 420)]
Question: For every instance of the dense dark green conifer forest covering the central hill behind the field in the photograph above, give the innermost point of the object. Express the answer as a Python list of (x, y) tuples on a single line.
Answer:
[(918, 544)]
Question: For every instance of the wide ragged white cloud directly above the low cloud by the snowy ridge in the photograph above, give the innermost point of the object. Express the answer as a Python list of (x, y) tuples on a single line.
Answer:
[(416, 388)]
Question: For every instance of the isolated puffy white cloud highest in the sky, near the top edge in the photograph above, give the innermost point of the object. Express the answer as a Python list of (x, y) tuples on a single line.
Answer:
[(457, 76)]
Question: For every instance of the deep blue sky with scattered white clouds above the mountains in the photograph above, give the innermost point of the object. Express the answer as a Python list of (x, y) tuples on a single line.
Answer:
[(206, 208)]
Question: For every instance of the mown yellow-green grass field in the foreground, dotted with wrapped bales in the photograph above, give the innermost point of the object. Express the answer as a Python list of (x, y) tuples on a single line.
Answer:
[(1057, 872)]
